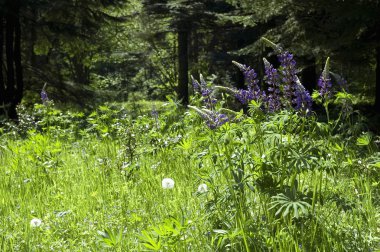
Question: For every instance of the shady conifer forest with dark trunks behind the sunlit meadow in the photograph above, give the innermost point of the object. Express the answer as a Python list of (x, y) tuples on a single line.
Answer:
[(89, 52)]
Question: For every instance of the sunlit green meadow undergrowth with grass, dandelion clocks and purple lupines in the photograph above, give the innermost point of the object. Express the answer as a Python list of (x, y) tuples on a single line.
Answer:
[(272, 178)]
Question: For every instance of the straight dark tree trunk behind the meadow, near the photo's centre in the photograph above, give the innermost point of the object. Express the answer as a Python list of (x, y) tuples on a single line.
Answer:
[(183, 79)]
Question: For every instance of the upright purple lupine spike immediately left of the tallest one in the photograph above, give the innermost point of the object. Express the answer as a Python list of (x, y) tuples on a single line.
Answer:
[(271, 78)]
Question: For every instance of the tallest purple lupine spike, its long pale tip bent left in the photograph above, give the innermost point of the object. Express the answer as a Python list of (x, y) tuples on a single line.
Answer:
[(288, 73)]
